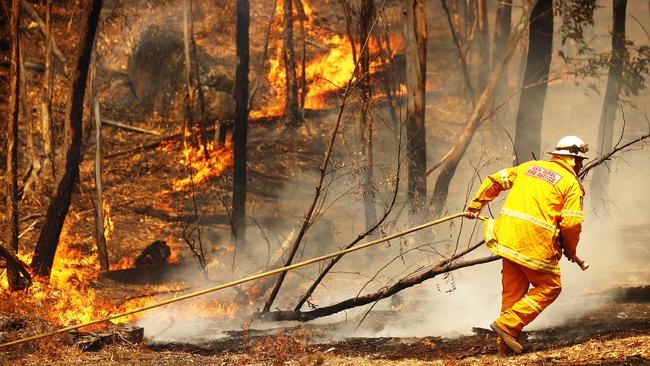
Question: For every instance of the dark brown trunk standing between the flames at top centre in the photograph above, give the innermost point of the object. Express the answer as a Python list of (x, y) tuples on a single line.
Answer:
[(291, 108)]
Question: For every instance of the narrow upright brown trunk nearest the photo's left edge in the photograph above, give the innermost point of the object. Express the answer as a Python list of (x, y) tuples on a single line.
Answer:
[(11, 175)]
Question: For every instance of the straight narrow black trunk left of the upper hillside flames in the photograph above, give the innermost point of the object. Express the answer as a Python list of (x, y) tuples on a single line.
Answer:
[(241, 122)]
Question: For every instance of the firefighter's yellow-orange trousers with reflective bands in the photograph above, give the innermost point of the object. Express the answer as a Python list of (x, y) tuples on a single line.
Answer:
[(521, 305)]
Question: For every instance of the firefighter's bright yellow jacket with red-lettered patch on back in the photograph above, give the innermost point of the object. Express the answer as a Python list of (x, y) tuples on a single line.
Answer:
[(545, 201)]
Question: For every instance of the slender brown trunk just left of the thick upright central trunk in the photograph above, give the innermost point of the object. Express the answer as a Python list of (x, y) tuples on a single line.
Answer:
[(365, 26)]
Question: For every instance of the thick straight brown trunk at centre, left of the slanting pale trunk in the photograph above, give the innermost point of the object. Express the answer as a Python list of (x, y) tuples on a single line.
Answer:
[(415, 35)]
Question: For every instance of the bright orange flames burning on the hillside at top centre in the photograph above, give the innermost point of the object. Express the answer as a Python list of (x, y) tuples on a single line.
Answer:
[(325, 73)]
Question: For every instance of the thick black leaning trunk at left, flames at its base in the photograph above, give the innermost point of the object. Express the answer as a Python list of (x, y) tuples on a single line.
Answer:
[(48, 239)]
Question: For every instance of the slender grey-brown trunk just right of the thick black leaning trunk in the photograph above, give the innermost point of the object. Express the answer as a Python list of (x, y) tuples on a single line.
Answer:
[(100, 234)]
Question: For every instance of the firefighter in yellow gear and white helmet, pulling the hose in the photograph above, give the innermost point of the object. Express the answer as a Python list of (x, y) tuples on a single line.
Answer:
[(540, 219)]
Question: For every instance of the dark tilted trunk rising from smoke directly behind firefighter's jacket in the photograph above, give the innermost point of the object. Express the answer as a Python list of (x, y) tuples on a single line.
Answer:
[(531, 105)]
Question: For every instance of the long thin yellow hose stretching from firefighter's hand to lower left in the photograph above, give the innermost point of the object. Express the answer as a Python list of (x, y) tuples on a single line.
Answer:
[(235, 283)]
